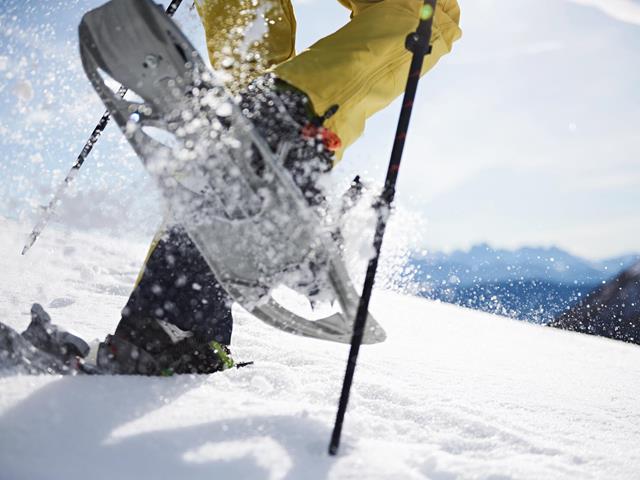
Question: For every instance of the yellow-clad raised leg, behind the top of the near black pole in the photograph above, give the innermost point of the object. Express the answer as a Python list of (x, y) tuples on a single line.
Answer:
[(363, 66)]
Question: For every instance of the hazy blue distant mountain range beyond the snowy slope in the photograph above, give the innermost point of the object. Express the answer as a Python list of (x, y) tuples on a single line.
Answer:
[(534, 284)]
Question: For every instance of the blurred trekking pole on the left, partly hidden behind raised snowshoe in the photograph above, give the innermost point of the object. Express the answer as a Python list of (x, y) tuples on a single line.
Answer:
[(49, 210)]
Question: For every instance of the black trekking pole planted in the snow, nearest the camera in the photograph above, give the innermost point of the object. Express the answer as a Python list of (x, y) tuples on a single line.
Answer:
[(418, 43)]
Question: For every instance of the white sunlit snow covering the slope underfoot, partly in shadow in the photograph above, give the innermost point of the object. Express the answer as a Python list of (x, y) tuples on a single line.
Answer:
[(451, 394)]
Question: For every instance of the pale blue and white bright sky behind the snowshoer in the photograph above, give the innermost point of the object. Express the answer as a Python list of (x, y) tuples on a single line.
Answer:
[(526, 134)]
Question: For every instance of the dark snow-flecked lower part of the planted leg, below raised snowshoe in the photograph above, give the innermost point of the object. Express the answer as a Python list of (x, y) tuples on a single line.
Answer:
[(177, 319)]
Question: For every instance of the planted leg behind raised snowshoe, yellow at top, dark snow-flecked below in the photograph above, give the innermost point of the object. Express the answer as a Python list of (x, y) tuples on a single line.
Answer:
[(176, 285)]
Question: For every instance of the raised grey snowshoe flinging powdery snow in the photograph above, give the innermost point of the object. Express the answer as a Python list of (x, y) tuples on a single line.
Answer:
[(252, 224)]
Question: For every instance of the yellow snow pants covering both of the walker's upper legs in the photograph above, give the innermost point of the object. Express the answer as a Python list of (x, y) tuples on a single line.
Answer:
[(362, 67)]
